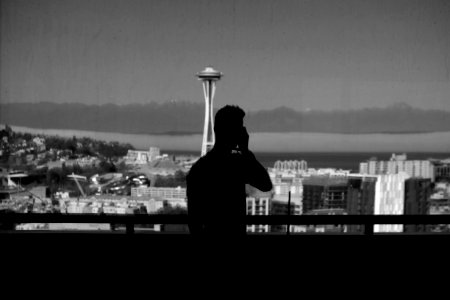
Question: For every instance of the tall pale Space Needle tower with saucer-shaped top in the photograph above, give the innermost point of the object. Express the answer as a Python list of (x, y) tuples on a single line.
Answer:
[(208, 76)]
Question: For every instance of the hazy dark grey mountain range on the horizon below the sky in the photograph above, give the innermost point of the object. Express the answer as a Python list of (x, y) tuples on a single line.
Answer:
[(182, 117)]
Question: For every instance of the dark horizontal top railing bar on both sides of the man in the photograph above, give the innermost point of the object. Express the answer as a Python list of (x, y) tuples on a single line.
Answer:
[(250, 220)]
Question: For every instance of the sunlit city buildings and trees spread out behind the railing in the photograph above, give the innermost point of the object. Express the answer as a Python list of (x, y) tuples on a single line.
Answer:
[(403, 185)]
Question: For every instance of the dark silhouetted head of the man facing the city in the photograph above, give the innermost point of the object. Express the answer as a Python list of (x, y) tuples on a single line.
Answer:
[(228, 125)]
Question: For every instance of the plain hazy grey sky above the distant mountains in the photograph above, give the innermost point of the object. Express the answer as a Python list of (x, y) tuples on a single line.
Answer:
[(301, 54)]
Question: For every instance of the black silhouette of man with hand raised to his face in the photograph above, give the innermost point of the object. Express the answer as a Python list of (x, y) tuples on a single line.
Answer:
[(216, 182)]
